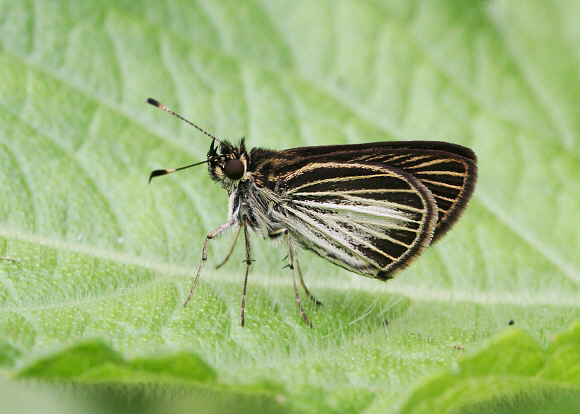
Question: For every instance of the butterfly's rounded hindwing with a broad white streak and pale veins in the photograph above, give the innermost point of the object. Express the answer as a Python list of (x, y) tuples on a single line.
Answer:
[(371, 219)]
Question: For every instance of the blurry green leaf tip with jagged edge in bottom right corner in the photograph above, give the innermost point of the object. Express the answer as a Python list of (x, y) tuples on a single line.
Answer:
[(514, 363)]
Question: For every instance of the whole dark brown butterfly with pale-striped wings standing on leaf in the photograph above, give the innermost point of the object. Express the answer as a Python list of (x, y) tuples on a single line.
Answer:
[(369, 208)]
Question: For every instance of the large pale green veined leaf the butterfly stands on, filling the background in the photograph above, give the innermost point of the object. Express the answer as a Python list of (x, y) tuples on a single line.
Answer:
[(103, 262)]
